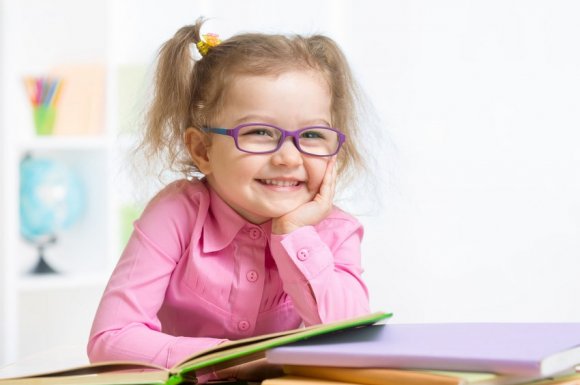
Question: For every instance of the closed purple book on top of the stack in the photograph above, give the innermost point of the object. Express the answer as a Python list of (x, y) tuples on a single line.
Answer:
[(535, 349)]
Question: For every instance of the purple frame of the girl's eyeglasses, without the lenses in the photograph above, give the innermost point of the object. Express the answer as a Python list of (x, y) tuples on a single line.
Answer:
[(233, 132)]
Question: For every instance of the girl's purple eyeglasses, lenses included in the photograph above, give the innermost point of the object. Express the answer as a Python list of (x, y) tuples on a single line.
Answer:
[(263, 138)]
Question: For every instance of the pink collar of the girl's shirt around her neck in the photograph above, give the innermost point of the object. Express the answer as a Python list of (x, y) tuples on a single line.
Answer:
[(223, 223)]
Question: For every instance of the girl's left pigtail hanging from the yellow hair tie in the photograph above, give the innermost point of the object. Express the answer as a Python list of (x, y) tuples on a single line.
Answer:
[(169, 112)]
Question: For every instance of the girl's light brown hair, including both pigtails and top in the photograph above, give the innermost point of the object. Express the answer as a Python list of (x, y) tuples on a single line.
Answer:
[(189, 92)]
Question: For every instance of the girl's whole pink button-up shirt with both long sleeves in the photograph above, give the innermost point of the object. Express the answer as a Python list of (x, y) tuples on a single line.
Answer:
[(195, 273)]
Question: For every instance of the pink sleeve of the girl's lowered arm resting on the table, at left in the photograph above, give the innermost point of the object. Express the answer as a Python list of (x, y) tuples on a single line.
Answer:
[(126, 326)]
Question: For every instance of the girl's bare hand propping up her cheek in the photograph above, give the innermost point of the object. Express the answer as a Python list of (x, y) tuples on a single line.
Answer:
[(311, 212)]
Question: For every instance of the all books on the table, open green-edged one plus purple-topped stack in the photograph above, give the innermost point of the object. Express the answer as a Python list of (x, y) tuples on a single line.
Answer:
[(358, 351)]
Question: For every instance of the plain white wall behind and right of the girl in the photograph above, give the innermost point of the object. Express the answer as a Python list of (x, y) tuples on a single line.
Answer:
[(477, 105)]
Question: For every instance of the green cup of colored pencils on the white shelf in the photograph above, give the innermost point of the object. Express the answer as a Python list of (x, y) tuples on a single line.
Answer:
[(43, 93)]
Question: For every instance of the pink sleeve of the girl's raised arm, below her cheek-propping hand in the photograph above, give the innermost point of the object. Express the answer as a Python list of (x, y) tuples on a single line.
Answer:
[(321, 270)]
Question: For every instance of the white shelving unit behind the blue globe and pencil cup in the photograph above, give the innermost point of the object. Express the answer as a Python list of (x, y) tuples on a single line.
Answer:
[(87, 251)]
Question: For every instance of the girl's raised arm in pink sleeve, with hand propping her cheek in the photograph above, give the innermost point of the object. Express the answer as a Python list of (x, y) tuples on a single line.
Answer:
[(317, 251)]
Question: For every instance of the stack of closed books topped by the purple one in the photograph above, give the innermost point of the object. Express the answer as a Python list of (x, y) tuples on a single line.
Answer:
[(435, 354)]
